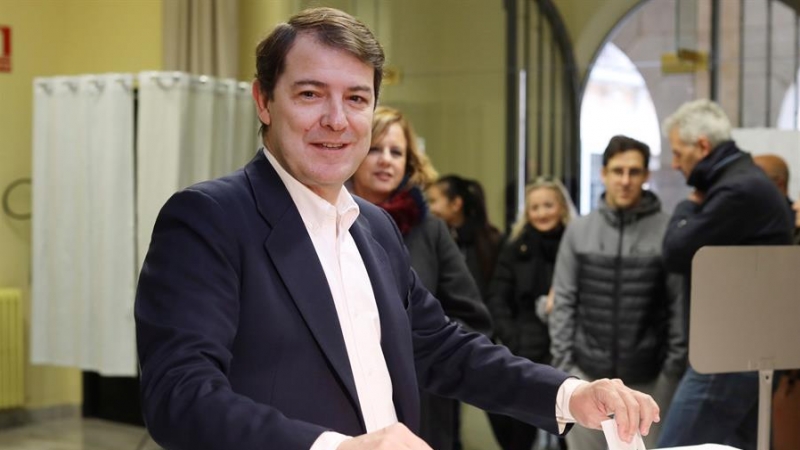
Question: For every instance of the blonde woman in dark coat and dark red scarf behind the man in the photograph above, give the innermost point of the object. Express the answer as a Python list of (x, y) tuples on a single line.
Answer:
[(393, 176)]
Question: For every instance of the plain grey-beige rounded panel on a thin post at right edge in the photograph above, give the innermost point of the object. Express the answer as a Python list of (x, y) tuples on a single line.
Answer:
[(745, 316)]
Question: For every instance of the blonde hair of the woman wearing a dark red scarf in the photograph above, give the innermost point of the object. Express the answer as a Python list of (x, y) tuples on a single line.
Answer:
[(419, 170)]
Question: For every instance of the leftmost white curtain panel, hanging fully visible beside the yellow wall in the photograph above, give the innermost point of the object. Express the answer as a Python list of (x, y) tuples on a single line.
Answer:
[(83, 223)]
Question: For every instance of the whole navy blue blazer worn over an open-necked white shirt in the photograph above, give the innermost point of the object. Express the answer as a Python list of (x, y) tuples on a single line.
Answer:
[(239, 341)]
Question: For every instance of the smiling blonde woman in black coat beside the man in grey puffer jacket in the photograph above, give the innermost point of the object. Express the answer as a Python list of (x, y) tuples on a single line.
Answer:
[(520, 295)]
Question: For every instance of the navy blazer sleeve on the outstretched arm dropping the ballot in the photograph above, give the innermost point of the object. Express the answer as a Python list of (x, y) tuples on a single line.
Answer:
[(453, 362)]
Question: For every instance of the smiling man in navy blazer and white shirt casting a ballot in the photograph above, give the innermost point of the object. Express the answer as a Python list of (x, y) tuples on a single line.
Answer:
[(274, 310)]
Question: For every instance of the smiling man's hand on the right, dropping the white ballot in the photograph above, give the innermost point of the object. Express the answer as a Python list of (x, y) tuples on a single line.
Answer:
[(593, 402)]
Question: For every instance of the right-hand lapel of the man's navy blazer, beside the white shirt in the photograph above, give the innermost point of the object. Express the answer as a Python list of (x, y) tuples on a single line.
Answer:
[(395, 332)]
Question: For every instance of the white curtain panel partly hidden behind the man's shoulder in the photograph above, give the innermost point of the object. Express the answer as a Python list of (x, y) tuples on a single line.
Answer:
[(191, 128)]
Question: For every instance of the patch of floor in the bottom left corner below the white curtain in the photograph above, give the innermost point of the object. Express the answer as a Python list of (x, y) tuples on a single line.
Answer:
[(76, 434)]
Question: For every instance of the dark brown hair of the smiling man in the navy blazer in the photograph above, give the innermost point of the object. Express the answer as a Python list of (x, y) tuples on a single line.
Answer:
[(329, 26)]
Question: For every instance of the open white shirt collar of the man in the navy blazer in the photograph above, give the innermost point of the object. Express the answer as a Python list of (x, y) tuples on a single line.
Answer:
[(314, 210)]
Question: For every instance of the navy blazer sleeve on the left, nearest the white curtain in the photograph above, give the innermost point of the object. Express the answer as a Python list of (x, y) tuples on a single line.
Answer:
[(186, 310)]
